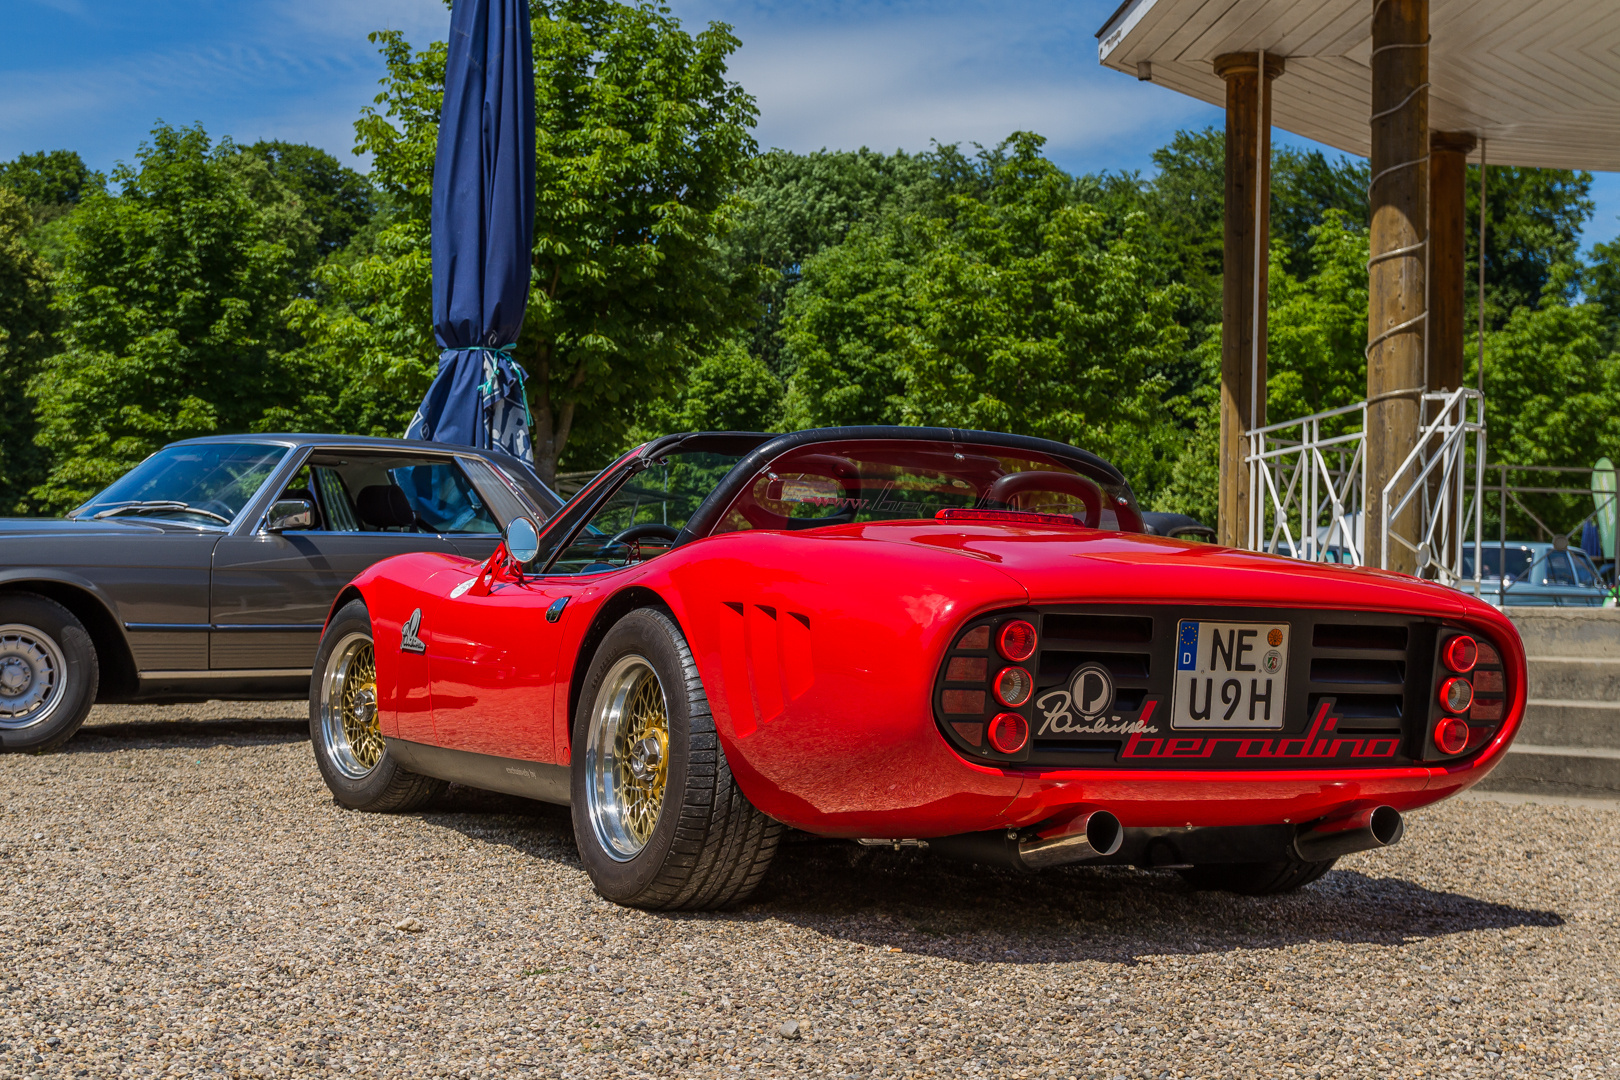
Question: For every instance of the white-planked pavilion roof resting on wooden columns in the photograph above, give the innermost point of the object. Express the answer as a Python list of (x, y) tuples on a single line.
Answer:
[(1538, 79)]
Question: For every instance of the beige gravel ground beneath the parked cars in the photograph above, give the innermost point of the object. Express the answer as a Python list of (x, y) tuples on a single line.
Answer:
[(181, 896)]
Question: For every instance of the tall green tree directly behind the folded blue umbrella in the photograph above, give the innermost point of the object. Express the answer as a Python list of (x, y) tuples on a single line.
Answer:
[(641, 147)]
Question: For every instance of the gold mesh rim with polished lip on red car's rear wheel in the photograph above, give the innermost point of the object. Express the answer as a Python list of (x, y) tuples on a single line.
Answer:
[(628, 757)]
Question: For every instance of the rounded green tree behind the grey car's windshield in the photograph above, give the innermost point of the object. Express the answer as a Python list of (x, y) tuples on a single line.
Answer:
[(173, 304)]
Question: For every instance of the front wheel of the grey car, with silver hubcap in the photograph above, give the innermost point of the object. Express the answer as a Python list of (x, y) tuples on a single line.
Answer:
[(48, 674)]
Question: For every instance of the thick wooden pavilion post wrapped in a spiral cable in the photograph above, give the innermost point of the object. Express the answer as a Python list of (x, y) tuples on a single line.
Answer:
[(1397, 283)]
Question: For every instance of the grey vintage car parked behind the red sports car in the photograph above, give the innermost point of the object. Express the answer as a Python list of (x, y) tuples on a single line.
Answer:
[(208, 571)]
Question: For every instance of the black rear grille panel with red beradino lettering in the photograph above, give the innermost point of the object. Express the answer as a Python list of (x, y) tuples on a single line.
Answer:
[(1371, 671)]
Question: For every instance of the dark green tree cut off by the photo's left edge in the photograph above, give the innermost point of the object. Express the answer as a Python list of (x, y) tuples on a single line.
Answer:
[(27, 338)]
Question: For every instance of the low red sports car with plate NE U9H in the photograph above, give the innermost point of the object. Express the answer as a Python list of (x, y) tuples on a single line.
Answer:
[(908, 636)]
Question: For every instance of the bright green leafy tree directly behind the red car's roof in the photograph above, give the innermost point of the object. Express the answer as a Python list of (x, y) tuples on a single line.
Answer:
[(1017, 313)]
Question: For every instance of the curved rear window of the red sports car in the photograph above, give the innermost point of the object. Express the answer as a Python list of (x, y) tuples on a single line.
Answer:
[(842, 483)]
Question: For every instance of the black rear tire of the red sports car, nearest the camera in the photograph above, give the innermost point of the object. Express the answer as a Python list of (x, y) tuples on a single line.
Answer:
[(707, 848)]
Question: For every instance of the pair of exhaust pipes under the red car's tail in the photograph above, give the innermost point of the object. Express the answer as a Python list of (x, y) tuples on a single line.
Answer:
[(1098, 835)]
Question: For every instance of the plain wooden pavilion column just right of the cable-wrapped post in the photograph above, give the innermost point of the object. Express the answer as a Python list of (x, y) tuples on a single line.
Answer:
[(1447, 255)]
